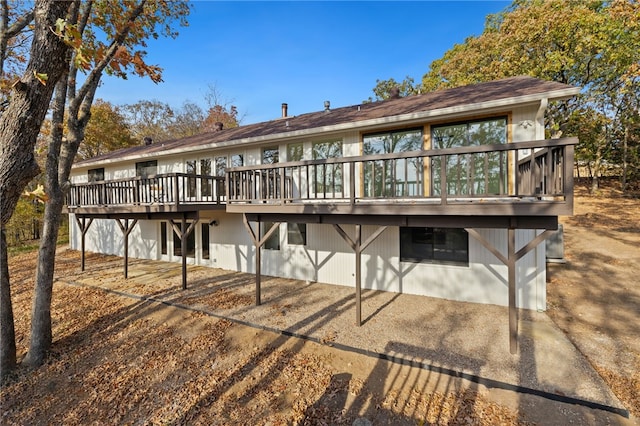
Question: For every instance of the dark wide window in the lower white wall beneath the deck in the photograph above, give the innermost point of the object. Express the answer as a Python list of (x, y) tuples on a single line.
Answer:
[(434, 245)]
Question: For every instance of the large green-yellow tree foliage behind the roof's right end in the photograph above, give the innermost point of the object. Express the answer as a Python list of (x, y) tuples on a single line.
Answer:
[(591, 44)]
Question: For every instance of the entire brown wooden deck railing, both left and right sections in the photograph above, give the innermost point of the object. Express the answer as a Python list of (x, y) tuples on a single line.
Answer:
[(537, 170)]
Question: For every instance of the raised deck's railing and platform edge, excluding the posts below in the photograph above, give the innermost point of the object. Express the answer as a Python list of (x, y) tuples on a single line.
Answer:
[(518, 179)]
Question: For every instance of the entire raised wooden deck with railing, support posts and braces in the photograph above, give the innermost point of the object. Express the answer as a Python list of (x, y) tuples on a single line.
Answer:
[(518, 185)]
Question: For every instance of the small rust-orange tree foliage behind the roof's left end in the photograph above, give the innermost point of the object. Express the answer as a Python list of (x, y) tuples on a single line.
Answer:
[(107, 130)]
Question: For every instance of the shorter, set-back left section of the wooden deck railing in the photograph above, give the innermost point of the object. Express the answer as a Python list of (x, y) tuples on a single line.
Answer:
[(172, 189)]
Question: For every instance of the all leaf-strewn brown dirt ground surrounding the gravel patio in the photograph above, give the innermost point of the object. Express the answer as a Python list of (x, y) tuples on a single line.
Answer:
[(120, 360)]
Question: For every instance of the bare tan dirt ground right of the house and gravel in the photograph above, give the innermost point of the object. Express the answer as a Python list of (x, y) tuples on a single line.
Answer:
[(595, 297)]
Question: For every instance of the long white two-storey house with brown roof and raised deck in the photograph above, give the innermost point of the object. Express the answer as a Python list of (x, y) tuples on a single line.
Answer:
[(446, 194)]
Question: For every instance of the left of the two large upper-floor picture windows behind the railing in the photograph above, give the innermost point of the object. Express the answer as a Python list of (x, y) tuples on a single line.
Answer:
[(393, 178)]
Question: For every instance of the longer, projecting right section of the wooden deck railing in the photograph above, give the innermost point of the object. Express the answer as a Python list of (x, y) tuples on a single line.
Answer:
[(537, 169)]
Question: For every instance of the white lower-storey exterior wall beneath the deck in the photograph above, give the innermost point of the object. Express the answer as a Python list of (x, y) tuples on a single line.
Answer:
[(326, 258)]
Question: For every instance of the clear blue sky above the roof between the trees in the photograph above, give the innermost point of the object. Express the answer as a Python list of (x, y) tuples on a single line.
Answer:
[(261, 54)]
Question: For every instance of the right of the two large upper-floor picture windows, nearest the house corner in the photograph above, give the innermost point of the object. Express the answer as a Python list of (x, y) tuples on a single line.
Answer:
[(471, 174)]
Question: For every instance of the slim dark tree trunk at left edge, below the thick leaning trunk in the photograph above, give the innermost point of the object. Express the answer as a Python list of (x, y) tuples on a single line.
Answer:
[(7, 331)]
